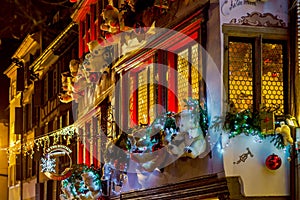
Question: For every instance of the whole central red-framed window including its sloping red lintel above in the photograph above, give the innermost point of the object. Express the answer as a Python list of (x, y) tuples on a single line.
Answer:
[(176, 75)]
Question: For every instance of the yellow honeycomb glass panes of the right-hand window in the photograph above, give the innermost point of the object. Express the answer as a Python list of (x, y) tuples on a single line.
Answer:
[(250, 82)]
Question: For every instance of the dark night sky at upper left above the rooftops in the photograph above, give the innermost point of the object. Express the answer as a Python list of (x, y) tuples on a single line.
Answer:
[(19, 18)]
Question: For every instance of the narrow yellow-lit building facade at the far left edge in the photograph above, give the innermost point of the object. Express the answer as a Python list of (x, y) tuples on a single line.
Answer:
[(15, 72)]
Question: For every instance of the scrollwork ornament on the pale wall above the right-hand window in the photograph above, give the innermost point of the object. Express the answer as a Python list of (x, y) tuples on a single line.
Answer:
[(259, 19)]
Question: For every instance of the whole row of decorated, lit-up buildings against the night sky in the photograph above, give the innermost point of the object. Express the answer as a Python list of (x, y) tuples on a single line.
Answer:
[(169, 99)]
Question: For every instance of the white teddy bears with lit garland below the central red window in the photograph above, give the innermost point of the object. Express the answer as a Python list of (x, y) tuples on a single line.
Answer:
[(171, 135)]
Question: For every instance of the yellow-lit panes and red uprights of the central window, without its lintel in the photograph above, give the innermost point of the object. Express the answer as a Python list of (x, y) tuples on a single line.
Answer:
[(160, 90)]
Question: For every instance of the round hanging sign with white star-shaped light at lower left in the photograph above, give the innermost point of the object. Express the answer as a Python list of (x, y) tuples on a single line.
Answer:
[(50, 159)]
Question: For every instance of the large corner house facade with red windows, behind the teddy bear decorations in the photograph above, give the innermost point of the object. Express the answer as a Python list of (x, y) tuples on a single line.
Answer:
[(248, 67)]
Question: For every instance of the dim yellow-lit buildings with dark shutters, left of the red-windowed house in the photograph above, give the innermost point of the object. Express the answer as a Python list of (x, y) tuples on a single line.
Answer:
[(36, 112)]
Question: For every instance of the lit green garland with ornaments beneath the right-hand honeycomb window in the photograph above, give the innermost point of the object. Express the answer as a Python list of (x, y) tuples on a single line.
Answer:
[(261, 123)]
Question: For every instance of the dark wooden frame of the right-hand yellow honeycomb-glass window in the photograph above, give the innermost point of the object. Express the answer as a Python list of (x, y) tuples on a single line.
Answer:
[(258, 35)]
